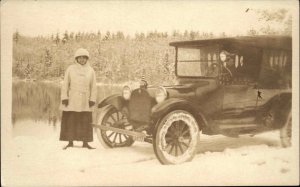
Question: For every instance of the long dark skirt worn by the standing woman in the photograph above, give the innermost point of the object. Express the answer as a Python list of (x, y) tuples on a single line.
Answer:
[(76, 126)]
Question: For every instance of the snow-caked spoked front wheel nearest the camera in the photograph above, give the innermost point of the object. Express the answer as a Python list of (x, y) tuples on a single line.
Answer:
[(179, 130)]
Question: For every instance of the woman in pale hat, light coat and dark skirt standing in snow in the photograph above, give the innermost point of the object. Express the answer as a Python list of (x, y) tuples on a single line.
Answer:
[(78, 98)]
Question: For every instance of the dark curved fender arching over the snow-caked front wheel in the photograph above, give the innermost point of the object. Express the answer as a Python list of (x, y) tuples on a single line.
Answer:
[(161, 109)]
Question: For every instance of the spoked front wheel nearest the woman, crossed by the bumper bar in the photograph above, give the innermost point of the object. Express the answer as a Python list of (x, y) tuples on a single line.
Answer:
[(109, 139)]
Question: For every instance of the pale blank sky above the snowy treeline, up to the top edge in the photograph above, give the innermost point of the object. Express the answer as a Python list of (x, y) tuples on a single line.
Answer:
[(47, 17)]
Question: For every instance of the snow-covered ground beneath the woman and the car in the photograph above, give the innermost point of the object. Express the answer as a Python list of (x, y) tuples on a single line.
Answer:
[(34, 156)]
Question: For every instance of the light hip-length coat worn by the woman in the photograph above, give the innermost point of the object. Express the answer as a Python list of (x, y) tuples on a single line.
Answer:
[(79, 87)]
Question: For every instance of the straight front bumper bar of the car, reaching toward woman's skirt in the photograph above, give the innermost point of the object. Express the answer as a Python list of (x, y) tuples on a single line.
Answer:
[(138, 136)]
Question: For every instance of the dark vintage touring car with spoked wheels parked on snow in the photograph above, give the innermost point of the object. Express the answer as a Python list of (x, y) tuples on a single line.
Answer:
[(228, 86)]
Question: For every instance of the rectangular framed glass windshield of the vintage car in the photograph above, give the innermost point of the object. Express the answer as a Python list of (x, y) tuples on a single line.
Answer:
[(197, 61)]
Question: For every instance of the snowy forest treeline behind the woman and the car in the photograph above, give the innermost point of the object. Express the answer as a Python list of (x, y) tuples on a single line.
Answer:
[(114, 56)]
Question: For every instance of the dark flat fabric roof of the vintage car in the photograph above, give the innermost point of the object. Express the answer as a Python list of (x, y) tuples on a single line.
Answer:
[(277, 42)]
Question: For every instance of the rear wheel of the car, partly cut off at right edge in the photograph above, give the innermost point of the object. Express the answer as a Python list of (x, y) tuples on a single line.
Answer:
[(286, 132)]
